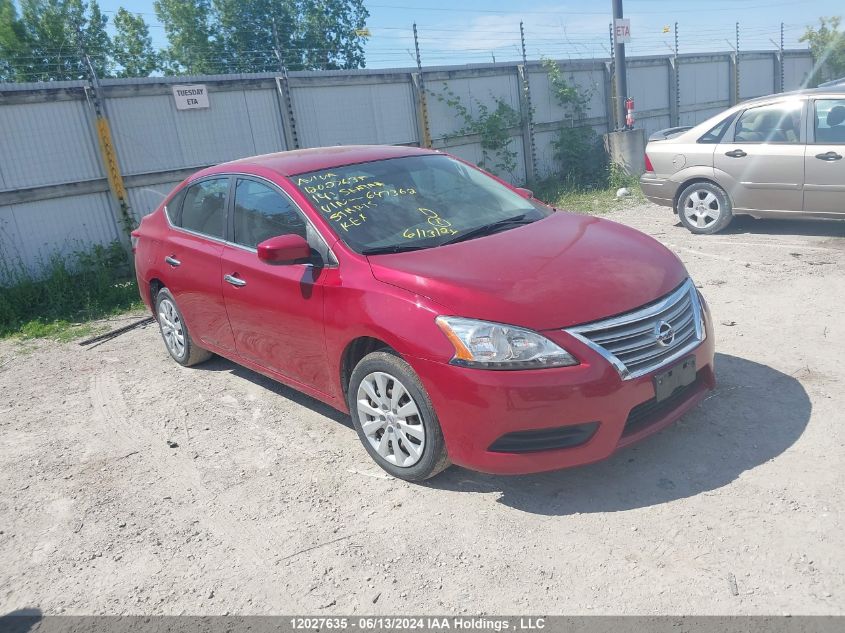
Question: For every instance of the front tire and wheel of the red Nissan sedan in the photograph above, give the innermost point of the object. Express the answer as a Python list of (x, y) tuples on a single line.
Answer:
[(414, 449)]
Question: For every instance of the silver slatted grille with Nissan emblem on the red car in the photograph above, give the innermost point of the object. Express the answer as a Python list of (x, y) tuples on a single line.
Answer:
[(650, 337)]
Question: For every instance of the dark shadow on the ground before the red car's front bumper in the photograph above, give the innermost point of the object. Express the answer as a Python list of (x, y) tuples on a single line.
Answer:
[(755, 414)]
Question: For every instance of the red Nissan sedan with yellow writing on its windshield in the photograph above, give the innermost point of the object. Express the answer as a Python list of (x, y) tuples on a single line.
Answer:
[(457, 319)]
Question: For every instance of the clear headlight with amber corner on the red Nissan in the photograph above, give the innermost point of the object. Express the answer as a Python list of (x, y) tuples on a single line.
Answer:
[(488, 345)]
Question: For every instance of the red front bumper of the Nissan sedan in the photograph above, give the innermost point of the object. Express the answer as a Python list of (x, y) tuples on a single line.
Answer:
[(478, 407)]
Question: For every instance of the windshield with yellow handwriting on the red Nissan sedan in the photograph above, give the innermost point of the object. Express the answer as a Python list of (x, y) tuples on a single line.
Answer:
[(413, 202)]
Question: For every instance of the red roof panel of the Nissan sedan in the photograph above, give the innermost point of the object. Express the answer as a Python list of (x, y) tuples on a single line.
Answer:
[(301, 161)]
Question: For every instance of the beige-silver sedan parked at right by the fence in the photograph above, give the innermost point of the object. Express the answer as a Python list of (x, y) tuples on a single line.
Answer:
[(773, 157)]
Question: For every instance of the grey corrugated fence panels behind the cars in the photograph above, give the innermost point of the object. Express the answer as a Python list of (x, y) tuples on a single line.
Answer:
[(54, 196)]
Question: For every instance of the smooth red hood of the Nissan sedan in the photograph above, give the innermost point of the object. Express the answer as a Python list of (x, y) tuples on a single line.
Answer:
[(563, 270)]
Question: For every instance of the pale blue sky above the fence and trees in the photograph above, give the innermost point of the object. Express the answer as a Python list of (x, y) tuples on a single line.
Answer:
[(480, 31)]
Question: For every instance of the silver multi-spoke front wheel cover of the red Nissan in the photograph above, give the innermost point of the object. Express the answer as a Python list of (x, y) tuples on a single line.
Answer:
[(390, 419)]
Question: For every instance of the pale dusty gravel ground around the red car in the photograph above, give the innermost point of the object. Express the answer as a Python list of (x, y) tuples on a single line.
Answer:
[(269, 504)]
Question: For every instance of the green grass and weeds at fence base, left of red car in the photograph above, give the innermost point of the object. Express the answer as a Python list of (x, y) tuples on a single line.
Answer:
[(61, 302)]
